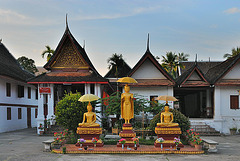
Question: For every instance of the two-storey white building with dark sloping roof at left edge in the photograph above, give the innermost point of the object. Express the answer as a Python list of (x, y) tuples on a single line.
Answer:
[(18, 100)]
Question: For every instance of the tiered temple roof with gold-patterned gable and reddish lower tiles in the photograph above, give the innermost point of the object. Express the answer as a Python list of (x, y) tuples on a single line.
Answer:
[(69, 64)]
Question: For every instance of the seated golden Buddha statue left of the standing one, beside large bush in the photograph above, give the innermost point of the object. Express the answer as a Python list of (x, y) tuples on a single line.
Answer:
[(90, 116)]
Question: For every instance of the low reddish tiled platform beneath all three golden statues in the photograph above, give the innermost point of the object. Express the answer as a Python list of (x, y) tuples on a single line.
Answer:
[(113, 149)]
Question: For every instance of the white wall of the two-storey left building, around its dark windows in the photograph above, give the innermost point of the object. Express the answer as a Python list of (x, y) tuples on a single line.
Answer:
[(15, 123)]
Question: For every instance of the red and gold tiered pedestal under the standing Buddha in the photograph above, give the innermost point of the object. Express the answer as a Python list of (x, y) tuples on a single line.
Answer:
[(127, 134)]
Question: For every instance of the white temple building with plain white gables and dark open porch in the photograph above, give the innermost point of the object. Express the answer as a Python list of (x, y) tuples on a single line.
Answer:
[(208, 92)]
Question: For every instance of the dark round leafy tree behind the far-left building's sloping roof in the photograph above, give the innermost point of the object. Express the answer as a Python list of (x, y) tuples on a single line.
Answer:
[(27, 64)]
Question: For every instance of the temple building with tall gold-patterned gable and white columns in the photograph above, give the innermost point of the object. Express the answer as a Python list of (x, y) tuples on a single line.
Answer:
[(69, 70)]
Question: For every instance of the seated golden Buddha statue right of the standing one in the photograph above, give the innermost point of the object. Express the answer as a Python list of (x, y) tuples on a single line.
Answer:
[(167, 118)]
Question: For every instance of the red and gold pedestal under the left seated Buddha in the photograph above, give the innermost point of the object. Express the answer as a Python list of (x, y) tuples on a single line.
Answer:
[(87, 133)]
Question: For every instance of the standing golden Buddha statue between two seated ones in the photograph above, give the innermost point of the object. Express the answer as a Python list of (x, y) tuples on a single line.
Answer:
[(127, 106)]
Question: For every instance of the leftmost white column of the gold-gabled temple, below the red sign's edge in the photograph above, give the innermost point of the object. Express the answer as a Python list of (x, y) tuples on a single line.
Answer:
[(40, 117)]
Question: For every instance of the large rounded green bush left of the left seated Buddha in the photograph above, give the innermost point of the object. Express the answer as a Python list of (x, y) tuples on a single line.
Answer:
[(69, 111)]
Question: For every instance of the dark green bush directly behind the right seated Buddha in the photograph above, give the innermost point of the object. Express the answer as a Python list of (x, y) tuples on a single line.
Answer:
[(178, 117)]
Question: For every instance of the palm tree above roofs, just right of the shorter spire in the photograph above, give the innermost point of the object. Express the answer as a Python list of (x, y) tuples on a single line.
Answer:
[(170, 63)]
